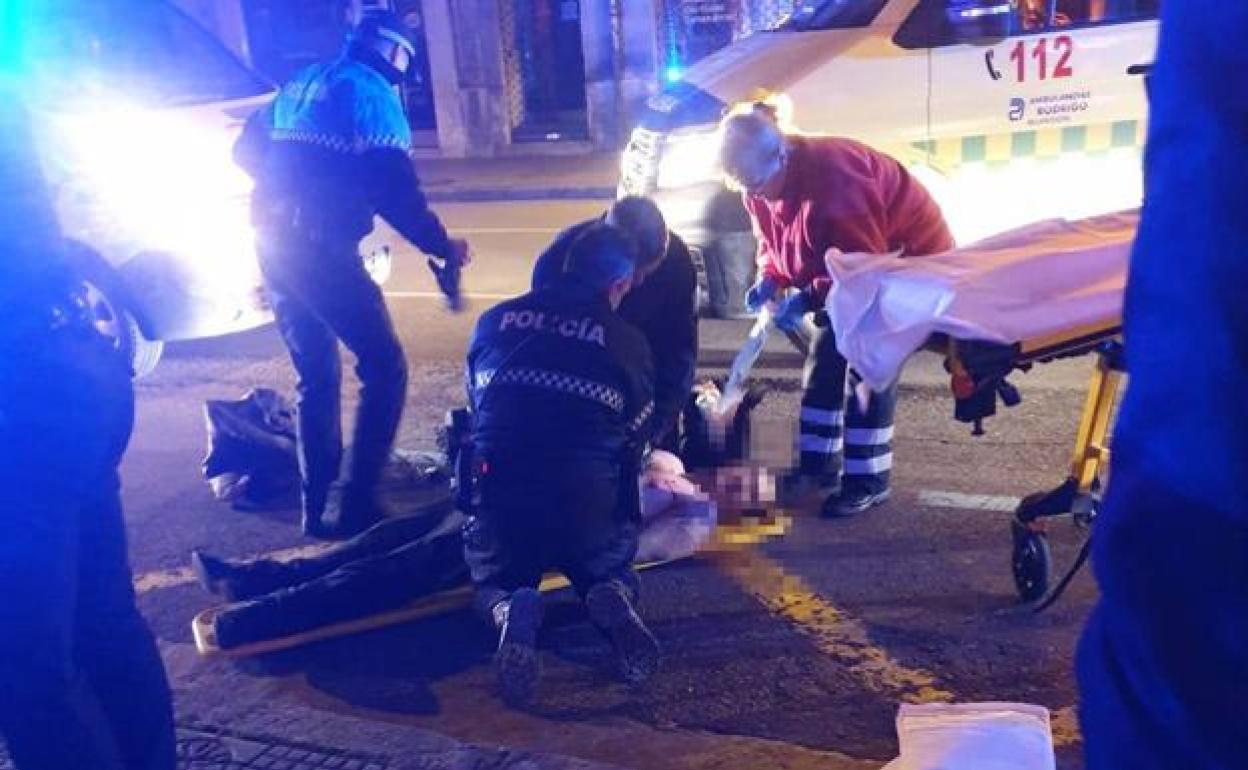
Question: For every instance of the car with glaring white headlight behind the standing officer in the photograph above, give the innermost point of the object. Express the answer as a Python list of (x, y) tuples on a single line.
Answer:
[(137, 110)]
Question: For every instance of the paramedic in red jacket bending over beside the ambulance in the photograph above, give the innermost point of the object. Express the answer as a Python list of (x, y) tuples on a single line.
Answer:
[(807, 195)]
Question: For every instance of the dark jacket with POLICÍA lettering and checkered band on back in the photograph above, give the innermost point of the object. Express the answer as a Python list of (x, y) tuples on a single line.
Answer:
[(558, 376)]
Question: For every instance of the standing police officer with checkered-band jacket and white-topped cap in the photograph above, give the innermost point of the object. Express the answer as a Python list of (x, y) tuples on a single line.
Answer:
[(328, 155)]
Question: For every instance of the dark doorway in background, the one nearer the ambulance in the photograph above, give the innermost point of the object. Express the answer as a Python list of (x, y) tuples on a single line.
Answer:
[(547, 69)]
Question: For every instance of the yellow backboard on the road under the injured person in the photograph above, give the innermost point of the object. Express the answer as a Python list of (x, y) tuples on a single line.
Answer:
[(748, 531)]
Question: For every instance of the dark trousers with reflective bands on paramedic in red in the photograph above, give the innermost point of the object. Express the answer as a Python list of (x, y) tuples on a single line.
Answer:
[(837, 434)]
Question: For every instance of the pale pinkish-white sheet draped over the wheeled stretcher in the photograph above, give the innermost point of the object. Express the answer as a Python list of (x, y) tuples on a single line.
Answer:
[(1029, 283)]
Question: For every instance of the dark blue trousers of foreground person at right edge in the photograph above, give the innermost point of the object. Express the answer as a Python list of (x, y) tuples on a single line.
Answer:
[(1164, 661)]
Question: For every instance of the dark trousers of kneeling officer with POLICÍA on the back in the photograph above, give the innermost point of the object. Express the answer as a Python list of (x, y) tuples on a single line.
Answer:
[(573, 519)]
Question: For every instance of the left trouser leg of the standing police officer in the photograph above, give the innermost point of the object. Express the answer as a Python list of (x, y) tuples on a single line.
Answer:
[(314, 351)]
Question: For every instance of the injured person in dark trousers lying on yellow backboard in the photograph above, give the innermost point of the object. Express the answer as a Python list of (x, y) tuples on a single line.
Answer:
[(416, 556)]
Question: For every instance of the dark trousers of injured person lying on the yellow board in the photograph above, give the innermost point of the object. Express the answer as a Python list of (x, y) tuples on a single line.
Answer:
[(381, 570)]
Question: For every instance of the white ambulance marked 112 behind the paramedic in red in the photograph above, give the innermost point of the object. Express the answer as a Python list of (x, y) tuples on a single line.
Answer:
[(1009, 110)]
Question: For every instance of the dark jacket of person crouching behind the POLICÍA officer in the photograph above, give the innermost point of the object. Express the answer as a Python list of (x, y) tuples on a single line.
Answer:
[(665, 310)]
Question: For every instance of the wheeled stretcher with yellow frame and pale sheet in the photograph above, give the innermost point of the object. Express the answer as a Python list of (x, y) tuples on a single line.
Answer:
[(1026, 298)]
